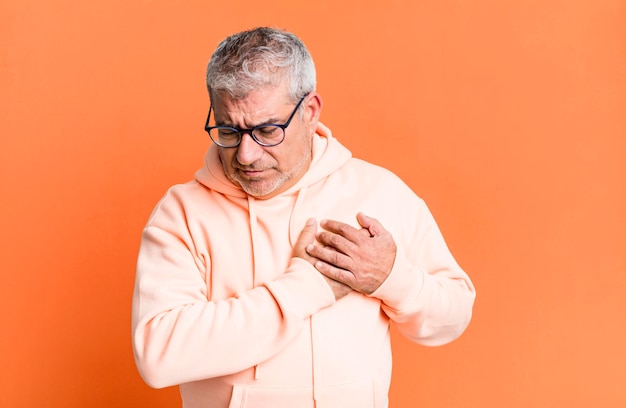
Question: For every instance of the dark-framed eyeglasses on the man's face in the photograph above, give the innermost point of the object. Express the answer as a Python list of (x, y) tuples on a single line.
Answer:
[(270, 134)]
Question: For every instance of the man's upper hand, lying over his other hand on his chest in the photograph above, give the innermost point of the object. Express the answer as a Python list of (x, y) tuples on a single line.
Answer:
[(360, 258)]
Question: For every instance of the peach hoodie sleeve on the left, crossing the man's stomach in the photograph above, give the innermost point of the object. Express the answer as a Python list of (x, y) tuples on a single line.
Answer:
[(180, 336)]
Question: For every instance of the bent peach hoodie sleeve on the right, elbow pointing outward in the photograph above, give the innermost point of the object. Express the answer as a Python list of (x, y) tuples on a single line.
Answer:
[(427, 294)]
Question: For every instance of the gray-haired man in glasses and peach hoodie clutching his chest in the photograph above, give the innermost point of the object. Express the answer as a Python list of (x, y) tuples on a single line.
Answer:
[(271, 279)]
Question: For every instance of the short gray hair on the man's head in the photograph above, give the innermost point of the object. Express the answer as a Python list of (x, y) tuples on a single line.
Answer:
[(244, 61)]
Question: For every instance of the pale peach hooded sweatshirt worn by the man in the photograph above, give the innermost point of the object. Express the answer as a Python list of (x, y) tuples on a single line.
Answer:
[(221, 308)]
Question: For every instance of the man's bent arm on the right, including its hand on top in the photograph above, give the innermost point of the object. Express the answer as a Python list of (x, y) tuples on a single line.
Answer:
[(422, 288)]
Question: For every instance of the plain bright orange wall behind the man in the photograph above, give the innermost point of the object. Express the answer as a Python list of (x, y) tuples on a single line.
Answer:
[(507, 117)]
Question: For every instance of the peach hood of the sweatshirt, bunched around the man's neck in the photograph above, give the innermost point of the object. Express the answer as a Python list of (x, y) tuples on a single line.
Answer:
[(328, 156)]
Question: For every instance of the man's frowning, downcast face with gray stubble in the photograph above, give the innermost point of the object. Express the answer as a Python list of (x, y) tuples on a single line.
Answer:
[(264, 172)]
